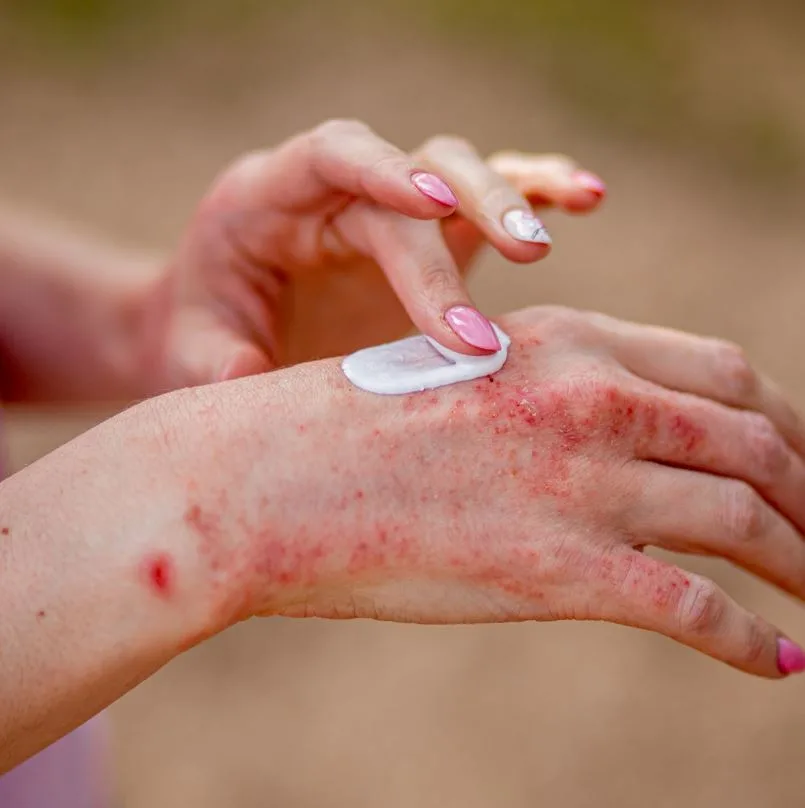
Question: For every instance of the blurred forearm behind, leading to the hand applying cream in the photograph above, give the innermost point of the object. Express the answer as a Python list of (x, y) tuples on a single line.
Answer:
[(73, 315)]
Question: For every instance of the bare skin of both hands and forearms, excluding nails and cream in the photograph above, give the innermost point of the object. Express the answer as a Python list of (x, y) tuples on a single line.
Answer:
[(529, 496)]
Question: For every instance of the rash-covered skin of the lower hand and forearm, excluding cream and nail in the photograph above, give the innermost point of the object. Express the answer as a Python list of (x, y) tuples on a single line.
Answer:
[(524, 496)]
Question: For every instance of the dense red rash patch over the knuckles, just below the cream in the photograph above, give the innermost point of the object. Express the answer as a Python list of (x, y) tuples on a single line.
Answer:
[(582, 418)]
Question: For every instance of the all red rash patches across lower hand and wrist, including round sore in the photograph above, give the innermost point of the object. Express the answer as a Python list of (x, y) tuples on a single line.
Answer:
[(575, 420)]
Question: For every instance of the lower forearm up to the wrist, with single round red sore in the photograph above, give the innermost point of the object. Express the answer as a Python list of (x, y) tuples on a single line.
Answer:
[(101, 581)]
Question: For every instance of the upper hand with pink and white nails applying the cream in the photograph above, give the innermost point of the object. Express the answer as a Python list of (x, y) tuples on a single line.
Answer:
[(337, 240)]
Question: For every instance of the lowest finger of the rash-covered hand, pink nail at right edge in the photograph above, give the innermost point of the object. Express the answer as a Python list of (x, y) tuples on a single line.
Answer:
[(647, 593)]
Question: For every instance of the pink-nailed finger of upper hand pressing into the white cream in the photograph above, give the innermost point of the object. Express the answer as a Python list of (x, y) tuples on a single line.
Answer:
[(422, 273)]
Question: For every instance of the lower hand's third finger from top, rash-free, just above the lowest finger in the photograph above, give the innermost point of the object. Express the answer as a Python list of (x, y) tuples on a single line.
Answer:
[(722, 517)]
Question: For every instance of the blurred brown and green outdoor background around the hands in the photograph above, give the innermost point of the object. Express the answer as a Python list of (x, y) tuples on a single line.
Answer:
[(117, 114)]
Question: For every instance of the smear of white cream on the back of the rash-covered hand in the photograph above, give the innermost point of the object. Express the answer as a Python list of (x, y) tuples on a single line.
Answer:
[(418, 363)]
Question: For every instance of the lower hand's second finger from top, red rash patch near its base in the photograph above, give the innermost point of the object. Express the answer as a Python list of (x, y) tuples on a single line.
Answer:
[(683, 430)]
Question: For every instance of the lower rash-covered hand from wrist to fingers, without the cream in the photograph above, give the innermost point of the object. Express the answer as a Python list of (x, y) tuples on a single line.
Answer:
[(532, 495)]
